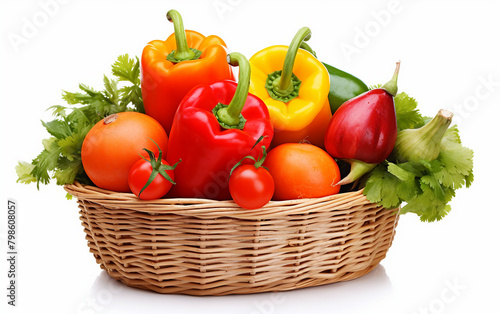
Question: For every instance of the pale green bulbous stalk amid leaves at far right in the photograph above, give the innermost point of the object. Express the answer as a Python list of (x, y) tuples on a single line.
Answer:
[(423, 143)]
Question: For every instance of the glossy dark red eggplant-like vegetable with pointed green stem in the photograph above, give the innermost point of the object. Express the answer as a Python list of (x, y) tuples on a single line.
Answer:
[(363, 130)]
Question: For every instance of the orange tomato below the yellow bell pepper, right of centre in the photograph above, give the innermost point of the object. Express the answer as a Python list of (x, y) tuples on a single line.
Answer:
[(302, 171)]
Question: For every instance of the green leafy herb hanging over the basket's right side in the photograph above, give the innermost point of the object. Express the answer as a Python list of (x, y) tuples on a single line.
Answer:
[(423, 187)]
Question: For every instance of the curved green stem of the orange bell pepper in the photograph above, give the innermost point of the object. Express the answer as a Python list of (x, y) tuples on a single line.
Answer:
[(183, 51)]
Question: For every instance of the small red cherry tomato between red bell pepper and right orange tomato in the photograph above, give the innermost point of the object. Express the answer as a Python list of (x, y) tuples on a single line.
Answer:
[(251, 187)]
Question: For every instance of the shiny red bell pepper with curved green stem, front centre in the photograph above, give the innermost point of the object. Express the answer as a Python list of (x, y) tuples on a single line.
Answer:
[(210, 137)]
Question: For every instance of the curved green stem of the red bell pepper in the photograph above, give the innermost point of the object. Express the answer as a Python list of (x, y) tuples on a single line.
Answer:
[(229, 116)]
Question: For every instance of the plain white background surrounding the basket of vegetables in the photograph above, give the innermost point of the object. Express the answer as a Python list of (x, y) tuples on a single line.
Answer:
[(449, 51)]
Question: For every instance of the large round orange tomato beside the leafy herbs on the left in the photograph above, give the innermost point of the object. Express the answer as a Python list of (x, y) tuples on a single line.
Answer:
[(114, 144)]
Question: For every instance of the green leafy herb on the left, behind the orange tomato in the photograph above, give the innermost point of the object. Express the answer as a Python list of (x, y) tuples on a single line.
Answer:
[(60, 158)]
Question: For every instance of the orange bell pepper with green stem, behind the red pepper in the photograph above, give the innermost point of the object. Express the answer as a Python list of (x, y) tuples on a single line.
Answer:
[(172, 67)]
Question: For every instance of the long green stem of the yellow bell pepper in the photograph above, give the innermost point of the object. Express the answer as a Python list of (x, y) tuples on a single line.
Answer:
[(284, 85)]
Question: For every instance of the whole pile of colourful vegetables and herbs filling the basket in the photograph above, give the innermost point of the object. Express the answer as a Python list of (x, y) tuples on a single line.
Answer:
[(177, 124)]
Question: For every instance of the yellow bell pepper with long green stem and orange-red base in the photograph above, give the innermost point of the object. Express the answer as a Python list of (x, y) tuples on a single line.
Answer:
[(294, 85)]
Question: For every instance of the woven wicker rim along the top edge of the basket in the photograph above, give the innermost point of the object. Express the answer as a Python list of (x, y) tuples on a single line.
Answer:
[(201, 207)]
